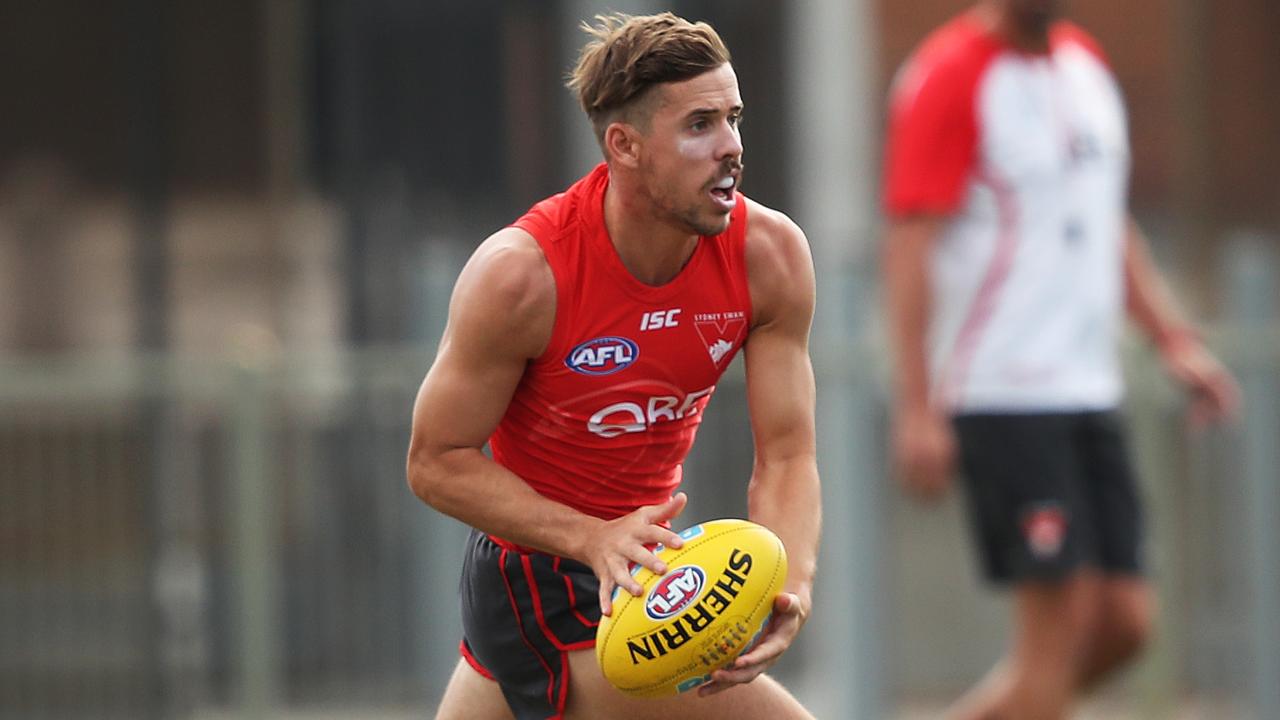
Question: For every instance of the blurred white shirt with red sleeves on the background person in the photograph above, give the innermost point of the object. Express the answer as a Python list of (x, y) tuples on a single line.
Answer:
[(1028, 158)]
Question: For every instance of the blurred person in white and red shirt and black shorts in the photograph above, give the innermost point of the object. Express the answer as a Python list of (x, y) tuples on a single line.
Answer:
[(1011, 261)]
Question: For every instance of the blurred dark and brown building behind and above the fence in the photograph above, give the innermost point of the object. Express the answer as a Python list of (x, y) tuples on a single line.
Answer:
[(284, 163)]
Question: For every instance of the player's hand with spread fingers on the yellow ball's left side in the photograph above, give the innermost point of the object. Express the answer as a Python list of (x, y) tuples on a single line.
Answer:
[(615, 545)]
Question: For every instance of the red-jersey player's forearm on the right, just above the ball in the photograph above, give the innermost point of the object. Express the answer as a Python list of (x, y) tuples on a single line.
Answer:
[(787, 498)]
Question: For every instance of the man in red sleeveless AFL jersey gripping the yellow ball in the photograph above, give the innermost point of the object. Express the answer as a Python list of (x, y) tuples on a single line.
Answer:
[(583, 345)]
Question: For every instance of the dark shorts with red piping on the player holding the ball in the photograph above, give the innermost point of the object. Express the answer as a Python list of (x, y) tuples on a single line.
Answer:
[(522, 614)]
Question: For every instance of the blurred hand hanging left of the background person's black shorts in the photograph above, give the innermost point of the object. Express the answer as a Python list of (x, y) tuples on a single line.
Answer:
[(925, 452)]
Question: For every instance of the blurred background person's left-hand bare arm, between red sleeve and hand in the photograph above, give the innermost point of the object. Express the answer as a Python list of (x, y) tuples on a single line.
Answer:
[(909, 299)]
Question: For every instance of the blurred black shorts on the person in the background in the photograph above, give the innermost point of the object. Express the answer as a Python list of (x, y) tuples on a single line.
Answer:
[(1050, 494)]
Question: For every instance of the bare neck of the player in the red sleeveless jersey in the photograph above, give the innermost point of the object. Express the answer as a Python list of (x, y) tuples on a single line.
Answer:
[(653, 252)]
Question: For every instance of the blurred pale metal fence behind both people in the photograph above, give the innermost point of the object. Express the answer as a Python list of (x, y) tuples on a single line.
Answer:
[(185, 536)]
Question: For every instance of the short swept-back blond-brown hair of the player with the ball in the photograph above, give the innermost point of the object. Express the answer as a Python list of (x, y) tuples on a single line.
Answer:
[(629, 56)]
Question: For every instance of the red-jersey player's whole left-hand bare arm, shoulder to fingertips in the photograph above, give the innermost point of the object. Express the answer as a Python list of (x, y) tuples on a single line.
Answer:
[(501, 317)]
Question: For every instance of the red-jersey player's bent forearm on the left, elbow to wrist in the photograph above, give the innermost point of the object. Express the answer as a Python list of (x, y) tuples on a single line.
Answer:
[(467, 485)]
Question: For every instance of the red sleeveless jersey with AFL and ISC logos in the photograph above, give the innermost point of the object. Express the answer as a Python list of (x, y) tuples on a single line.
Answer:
[(605, 418)]
